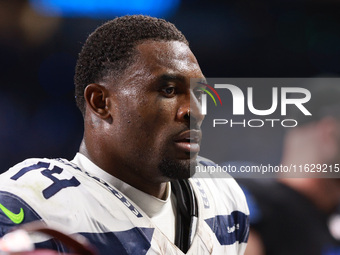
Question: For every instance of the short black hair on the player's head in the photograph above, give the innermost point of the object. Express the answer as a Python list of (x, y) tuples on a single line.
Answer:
[(111, 48)]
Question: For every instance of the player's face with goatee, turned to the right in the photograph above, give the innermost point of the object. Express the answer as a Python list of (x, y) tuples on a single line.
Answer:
[(150, 131)]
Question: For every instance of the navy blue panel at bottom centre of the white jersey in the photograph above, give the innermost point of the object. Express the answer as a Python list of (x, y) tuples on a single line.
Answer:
[(132, 241)]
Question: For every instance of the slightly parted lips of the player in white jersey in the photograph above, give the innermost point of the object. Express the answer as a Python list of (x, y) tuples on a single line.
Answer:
[(189, 141)]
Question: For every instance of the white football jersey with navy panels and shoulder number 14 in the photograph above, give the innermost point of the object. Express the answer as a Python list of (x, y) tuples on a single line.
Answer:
[(66, 197)]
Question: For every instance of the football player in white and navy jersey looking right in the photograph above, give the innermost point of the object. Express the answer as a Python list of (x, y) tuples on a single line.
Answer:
[(129, 190)]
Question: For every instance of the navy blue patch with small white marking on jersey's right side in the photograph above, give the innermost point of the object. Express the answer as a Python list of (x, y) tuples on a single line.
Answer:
[(230, 228)]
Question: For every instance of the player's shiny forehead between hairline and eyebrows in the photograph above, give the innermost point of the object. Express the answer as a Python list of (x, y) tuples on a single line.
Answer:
[(173, 57)]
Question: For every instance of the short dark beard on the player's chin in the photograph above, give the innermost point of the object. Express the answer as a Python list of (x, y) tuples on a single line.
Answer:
[(177, 170)]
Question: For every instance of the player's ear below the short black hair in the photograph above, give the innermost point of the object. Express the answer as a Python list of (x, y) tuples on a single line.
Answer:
[(97, 100)]
